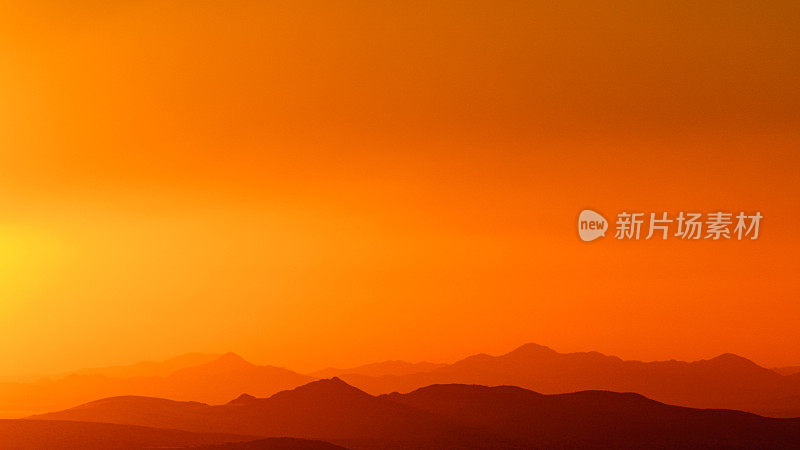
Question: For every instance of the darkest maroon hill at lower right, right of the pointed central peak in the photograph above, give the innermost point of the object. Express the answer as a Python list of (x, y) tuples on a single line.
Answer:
[(599, 419)]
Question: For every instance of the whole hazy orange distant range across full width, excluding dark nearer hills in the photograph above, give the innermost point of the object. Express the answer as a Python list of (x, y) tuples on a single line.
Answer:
[(727, 381)]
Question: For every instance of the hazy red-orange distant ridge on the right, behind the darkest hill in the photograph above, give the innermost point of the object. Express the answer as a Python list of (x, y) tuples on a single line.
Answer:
[(727, 381)]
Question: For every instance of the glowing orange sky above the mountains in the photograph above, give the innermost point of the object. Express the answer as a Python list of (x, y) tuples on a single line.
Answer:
[(311, 184)]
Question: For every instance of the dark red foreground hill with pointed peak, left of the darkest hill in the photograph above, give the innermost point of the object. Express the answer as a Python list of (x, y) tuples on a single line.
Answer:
[(329, 410)]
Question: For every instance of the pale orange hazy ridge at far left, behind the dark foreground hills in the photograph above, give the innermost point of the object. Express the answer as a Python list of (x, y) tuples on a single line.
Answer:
[(215, 381)]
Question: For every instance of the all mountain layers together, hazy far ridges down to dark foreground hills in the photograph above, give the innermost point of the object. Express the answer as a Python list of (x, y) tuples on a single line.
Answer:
[(530, 397)]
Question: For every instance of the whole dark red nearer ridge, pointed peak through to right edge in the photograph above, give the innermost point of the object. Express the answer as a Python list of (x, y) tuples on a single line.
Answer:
[(453, 415)]
